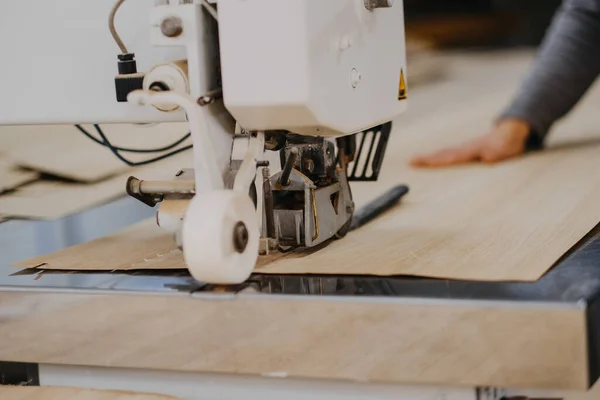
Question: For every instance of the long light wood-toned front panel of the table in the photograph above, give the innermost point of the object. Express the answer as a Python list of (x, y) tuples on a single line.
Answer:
[(444, 343)]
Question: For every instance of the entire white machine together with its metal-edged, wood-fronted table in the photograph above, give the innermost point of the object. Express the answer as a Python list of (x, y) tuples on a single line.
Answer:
[(287, 101)]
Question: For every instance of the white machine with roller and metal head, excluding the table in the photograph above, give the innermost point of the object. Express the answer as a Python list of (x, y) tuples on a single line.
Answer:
[(286, 102)]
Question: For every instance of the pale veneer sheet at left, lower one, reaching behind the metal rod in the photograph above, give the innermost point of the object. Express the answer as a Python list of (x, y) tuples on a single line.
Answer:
[(55, 199)]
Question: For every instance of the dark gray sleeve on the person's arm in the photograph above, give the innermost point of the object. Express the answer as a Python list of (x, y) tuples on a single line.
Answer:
[(567, 64)]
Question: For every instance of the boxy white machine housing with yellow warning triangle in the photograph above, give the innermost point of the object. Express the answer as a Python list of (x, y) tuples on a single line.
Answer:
[(311, 66)]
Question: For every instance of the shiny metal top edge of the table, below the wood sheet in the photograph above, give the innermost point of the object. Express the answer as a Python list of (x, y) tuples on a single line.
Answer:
[(575, 278)]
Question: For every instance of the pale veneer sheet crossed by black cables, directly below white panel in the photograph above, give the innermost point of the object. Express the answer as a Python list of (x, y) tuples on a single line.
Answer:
[(63, 151)]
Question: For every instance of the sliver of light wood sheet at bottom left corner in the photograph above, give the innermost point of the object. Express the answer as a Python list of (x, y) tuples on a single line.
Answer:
[(63, 393)]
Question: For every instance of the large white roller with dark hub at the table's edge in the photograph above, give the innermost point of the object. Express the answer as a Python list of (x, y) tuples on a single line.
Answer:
[(208, 237)]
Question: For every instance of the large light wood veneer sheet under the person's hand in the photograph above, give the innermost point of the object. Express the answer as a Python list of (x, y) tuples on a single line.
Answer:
[(507, 222)]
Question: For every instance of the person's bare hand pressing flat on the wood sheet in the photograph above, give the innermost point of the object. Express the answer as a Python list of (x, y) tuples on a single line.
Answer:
[(506, 140)]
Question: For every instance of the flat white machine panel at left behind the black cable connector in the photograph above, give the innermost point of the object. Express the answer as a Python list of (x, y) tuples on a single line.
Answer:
[(59, 61)]
